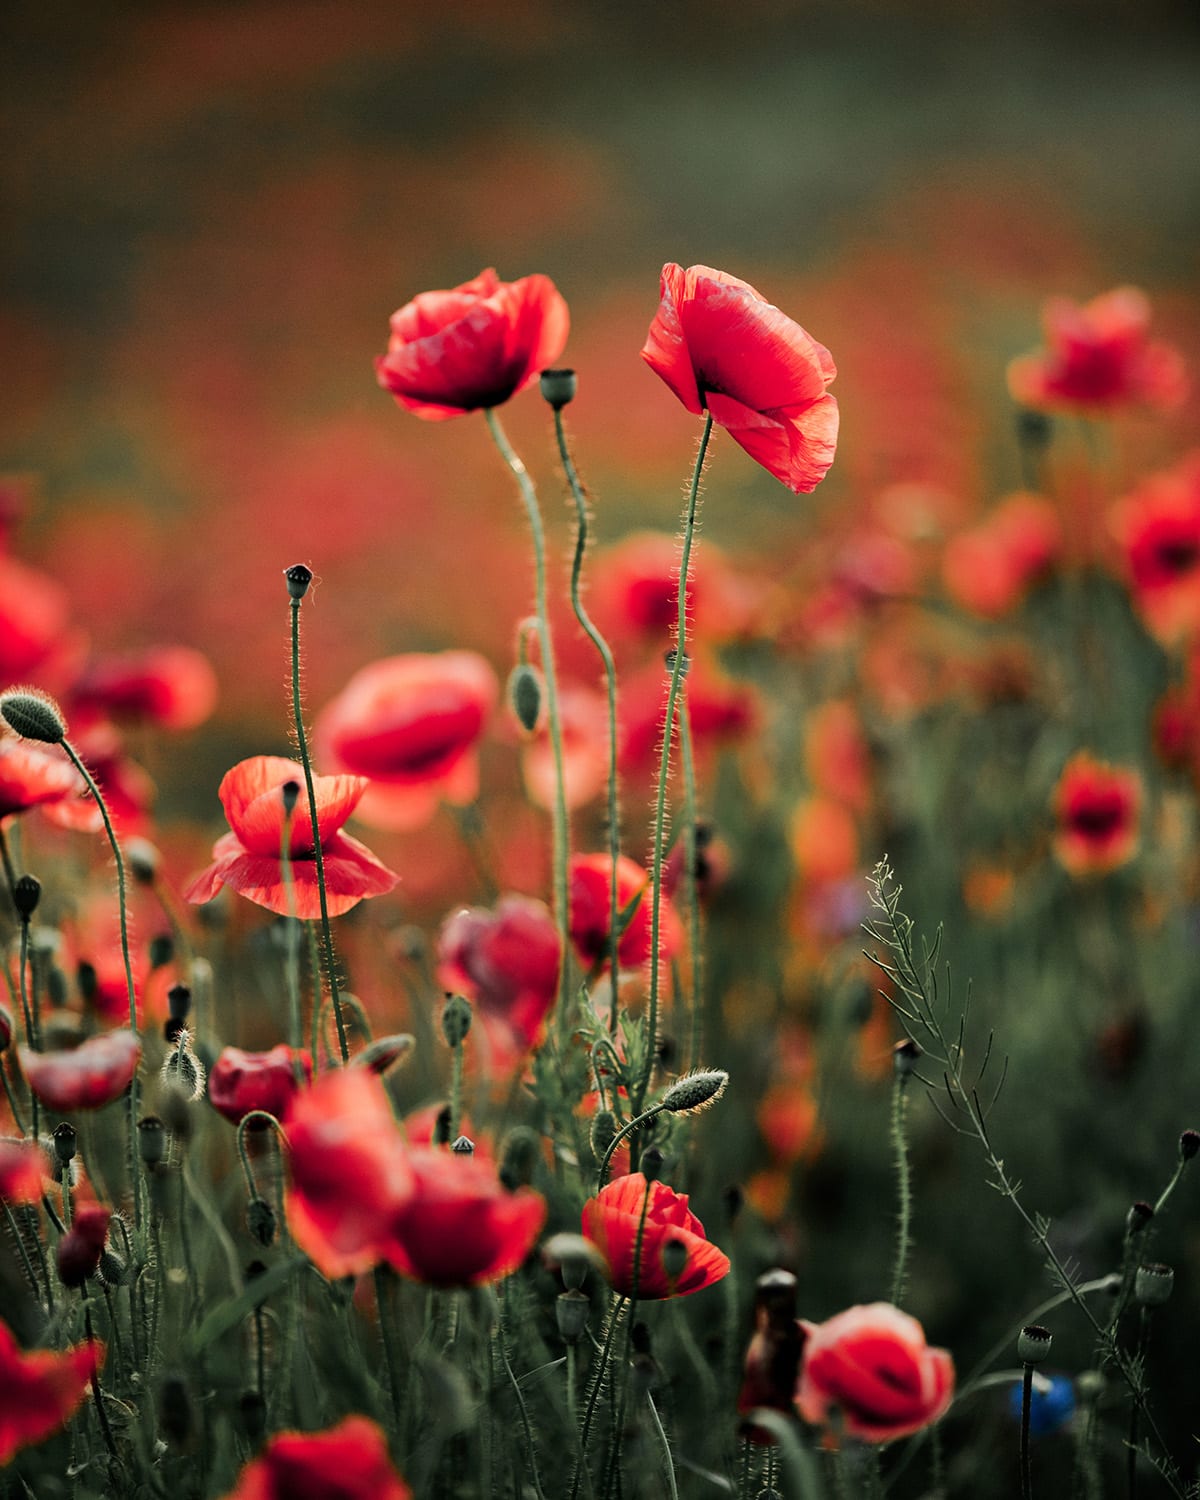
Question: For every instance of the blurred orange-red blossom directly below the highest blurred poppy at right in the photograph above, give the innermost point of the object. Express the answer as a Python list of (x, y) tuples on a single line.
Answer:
[(991, 568)]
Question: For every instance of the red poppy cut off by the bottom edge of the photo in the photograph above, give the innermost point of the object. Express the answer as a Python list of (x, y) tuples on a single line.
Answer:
[(349, 1462)]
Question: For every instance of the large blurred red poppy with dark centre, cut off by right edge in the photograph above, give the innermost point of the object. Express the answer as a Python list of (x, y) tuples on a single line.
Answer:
[(1159, 533)]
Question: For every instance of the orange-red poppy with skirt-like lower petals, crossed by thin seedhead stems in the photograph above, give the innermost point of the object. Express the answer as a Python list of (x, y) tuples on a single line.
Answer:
[(248, 859)]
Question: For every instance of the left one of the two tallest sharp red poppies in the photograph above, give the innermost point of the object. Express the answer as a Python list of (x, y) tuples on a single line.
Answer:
[(475, 347)]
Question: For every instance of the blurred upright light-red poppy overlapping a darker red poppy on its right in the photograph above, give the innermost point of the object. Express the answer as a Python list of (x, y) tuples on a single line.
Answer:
[(350, 1172)]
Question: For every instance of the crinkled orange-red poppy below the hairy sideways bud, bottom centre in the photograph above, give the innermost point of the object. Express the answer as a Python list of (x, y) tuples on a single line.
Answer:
[(611, 1222)]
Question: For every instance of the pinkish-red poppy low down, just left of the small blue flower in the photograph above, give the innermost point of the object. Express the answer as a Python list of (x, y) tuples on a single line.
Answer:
[(874, 1369)]
